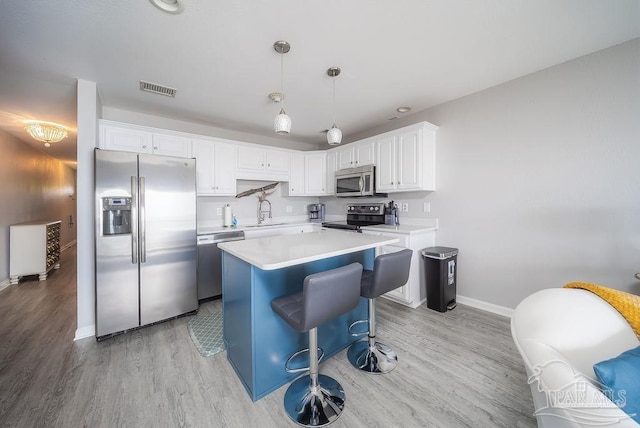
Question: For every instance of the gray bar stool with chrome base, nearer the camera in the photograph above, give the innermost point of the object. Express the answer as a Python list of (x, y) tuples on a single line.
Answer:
[(317, 400)]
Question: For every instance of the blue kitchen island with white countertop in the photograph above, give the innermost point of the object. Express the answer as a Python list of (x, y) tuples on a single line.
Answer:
[(256, 271)]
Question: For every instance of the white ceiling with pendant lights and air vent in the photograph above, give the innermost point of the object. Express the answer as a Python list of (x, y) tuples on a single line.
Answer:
[(219, 56)]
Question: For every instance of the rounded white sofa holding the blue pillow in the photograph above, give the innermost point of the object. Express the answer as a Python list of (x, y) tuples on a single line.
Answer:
[(560, 334)]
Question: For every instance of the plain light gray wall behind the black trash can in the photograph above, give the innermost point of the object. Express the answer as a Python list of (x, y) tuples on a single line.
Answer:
[(538, 179)]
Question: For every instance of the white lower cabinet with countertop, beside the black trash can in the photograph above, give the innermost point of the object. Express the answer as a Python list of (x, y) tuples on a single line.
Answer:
[(413, 293)]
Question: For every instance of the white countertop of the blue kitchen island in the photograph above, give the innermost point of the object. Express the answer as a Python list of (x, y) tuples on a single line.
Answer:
[(276, 252)]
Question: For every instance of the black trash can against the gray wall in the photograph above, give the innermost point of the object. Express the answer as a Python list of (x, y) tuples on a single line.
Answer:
[(440, 277)]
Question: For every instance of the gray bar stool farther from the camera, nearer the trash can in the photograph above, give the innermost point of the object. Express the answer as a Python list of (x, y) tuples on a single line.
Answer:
[(390, 271)]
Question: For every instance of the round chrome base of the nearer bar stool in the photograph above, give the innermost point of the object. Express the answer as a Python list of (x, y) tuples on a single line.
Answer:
[(317, 408)]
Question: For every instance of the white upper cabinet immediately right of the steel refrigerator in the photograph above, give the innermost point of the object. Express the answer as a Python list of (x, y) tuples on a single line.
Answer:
[(215, 168)]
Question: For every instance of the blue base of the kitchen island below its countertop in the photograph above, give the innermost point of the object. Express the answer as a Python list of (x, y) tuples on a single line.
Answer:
[(272, 339)]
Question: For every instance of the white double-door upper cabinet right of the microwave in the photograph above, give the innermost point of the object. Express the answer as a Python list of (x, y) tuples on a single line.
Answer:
[(406, 159)]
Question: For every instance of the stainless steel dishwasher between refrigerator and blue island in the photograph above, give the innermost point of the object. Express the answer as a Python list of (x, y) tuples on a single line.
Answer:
[(210, 262)]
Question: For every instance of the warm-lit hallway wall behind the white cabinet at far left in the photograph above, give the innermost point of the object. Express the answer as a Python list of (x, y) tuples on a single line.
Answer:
[(33, 187)]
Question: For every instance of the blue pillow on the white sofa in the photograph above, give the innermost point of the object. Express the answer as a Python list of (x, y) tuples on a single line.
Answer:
[(620, 378)]
